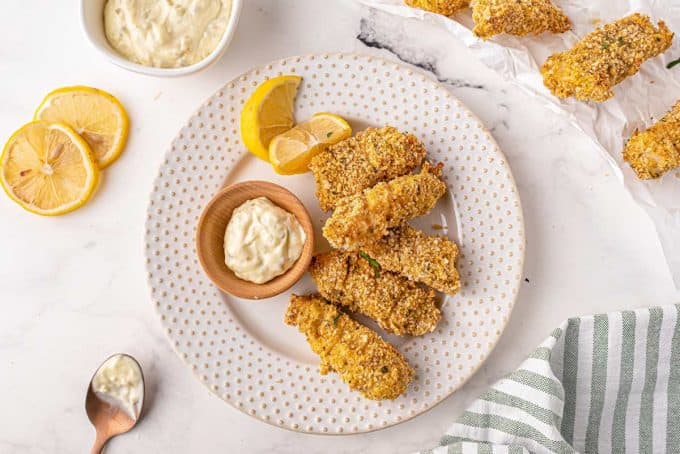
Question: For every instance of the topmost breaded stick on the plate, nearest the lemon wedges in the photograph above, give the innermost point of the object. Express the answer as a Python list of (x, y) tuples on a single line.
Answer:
[(358, 163)]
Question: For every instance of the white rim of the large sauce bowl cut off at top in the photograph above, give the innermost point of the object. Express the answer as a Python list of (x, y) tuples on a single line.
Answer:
[(120, 61)]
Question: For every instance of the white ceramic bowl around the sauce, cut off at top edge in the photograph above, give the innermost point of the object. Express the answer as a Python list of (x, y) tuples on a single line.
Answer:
[(92, 19)]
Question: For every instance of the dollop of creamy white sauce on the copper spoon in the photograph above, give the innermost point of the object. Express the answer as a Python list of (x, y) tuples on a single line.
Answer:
[(119, 382)]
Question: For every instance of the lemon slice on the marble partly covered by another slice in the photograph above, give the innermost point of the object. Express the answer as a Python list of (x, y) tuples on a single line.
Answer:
[(94, 114)]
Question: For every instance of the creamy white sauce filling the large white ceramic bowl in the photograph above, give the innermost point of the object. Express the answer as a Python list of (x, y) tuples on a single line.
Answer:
[(165, 33)]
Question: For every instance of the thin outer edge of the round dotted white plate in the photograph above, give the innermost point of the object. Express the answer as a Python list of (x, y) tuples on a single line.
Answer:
[(402, 66)]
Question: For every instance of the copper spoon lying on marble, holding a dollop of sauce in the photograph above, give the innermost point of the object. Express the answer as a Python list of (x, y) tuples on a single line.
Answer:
[(108, 419)]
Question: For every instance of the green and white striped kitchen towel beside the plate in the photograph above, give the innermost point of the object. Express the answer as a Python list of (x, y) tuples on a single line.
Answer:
[(599, 384)]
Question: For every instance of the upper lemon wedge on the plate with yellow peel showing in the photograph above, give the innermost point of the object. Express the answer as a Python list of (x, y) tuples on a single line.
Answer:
[(268, 112)]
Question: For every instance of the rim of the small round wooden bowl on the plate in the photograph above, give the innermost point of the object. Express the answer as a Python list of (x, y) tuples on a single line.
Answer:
[(285, 281)]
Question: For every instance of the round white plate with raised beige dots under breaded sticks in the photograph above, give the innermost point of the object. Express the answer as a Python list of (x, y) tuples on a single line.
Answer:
[(241, 350)]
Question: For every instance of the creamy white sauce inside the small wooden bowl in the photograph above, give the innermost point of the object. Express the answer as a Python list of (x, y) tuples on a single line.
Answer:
[(262, 241)]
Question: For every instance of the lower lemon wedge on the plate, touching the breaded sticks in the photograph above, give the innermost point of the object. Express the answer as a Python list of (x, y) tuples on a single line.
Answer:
[(291, 151)]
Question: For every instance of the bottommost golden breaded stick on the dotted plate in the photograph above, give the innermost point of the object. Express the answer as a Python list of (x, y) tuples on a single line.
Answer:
[(363, 359)]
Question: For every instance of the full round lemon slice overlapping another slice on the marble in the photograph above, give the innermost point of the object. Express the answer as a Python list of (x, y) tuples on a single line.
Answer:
[(48, 169)]
